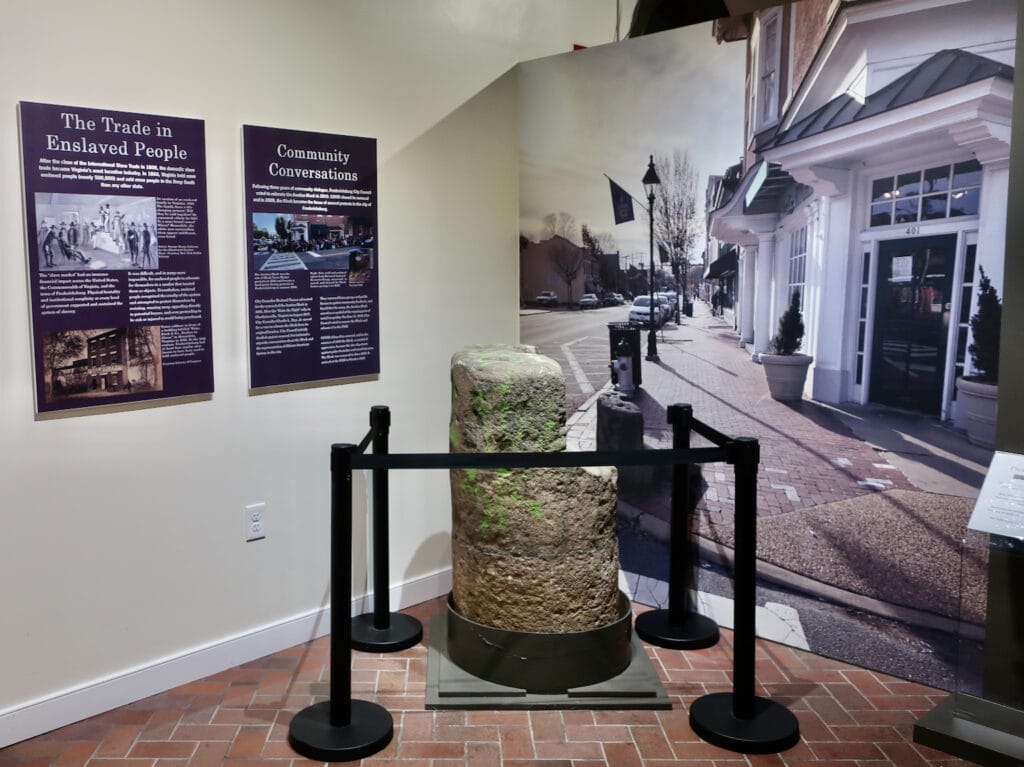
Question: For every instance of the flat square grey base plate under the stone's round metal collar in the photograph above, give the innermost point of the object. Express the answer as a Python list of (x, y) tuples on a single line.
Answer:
[(451, 688)]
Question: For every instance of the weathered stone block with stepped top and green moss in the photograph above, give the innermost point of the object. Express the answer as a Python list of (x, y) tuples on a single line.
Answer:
[(533, 550)]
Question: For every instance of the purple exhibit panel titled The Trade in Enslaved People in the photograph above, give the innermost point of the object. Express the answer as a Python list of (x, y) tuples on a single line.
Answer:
[(118, 249)]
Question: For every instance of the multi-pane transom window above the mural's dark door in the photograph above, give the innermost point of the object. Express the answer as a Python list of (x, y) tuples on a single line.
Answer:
[(944, 192)]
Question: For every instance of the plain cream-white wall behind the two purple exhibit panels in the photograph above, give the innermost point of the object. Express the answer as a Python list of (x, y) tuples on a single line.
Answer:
[(122, 534)]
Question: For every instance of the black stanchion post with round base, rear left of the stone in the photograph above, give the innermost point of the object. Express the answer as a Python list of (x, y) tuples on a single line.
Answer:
[(383, 631)]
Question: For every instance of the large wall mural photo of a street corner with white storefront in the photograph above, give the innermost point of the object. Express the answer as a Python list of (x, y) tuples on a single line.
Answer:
[(830, 155)]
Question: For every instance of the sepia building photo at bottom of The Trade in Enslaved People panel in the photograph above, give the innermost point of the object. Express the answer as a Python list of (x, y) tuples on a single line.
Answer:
[(102, 364)]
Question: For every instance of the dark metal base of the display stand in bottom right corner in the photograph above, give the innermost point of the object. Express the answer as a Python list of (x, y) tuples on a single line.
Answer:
[(974, 729)]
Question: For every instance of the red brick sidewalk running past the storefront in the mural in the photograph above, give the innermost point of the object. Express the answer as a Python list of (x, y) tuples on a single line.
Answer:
[(808, 456)]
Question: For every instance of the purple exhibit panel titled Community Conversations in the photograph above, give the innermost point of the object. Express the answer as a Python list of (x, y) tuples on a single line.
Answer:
[(313, 257)]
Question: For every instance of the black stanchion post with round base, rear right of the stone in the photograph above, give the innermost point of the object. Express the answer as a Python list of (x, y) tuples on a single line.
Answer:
[(680, 627)]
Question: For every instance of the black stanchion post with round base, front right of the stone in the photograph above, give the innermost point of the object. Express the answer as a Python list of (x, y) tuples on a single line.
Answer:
[(740, 720)]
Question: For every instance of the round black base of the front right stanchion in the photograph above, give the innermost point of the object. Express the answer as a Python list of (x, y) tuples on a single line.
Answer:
[(773, 729)]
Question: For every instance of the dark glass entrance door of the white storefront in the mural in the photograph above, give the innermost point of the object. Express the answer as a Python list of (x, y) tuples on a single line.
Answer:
[(912, 322)]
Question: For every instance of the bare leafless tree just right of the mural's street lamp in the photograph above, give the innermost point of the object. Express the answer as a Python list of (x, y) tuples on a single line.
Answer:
[(678, 220)]
